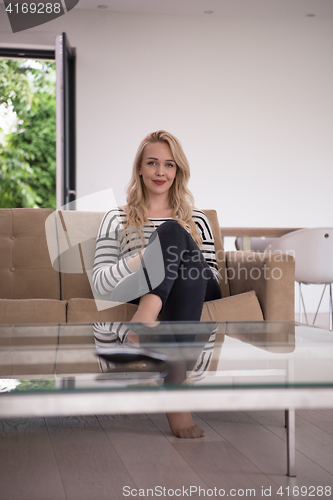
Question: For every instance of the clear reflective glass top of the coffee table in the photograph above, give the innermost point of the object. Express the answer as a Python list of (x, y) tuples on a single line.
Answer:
[(131, 356)]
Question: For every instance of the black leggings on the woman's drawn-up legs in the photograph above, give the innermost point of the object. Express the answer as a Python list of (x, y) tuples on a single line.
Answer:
[(188, 281)]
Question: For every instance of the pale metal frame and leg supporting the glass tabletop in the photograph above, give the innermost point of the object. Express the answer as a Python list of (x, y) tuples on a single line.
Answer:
[(151, 400)]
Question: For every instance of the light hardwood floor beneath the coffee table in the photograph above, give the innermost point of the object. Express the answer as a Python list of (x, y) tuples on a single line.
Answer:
[(88, 458)]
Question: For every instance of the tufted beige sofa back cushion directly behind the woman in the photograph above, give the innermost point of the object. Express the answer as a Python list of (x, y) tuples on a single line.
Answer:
[(76, 239)]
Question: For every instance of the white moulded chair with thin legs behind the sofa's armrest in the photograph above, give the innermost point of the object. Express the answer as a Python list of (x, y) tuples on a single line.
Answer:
[(313, 252)]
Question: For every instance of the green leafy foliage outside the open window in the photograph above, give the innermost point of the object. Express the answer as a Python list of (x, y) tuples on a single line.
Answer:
[(28, 154)]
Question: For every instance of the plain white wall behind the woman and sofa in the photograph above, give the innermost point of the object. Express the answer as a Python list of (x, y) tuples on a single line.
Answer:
[(250, 99)]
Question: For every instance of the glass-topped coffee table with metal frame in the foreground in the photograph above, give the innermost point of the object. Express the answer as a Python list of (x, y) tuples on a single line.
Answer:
[(82, 369)]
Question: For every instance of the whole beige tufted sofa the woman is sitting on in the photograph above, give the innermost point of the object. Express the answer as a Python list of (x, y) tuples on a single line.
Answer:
[(37, 288)]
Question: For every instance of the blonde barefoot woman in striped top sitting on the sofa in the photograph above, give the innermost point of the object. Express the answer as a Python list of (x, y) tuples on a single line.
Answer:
[(159, 210)]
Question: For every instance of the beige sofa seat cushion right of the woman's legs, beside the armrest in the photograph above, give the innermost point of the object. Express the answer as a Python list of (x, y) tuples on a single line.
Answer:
[(242, 307)]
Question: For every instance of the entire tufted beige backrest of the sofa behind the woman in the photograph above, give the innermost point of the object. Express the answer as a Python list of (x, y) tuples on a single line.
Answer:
[(26, 269)]
